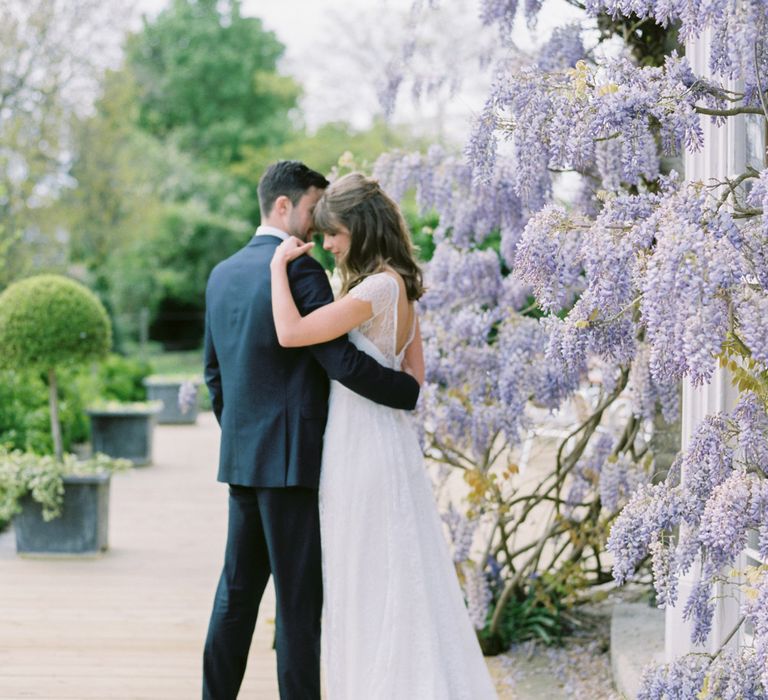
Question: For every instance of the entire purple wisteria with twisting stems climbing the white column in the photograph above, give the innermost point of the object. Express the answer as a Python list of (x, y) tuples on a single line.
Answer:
[(651, 278)]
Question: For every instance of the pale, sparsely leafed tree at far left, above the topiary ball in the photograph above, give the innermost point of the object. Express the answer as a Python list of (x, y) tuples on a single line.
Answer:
[(45, 64)]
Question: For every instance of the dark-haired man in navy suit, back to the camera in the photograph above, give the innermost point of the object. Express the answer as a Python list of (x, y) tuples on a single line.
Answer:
[(271, 403)]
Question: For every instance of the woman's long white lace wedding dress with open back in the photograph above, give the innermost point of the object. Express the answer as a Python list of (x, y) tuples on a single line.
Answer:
[(395, 626)]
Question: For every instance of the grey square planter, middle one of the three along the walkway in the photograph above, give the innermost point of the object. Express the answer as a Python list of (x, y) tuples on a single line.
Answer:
[(127, 434)]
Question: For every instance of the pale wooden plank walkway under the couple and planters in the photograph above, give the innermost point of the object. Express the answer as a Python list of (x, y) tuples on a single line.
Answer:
[(130, 624)]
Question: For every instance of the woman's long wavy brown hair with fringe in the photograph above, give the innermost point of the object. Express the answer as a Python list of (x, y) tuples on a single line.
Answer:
[(379, 234)]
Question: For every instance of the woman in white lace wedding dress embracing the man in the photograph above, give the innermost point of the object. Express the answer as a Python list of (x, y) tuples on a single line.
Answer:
[(395, 626)]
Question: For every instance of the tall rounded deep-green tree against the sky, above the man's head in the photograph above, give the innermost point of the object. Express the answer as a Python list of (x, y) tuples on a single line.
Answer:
[(207, 76)]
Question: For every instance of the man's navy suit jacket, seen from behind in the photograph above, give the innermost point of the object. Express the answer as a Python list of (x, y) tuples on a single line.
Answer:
[(272, 402)]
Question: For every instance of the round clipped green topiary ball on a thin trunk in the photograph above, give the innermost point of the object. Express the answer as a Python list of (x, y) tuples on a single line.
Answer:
[(48, 321)]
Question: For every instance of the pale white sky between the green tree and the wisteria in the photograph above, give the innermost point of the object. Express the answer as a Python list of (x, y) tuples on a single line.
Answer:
[(337, 48)]
